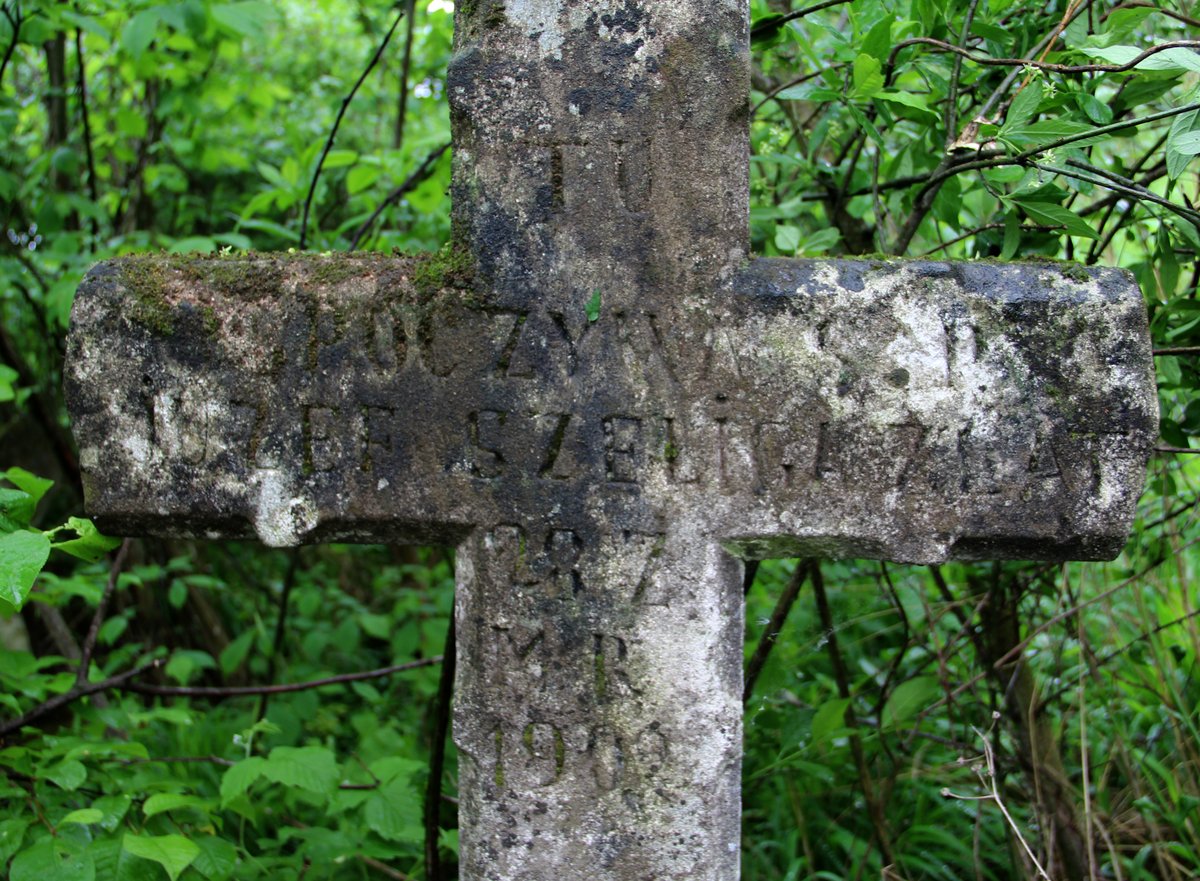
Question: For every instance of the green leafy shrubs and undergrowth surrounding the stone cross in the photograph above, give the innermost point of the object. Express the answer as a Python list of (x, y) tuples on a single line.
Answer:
[(987, 722)]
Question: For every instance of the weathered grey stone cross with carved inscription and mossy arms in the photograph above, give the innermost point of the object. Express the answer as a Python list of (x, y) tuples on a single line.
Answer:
[(605, 406)]
